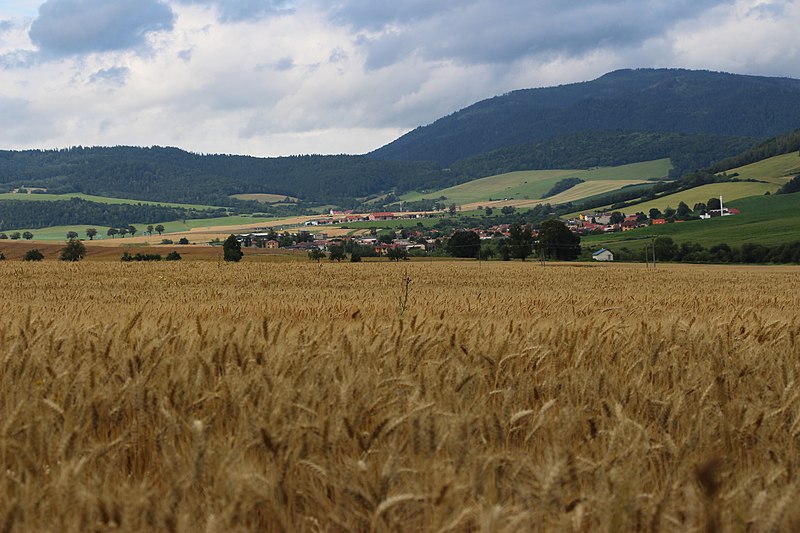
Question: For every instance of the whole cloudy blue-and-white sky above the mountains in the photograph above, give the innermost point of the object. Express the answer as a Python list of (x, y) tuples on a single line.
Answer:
[(285, 77)]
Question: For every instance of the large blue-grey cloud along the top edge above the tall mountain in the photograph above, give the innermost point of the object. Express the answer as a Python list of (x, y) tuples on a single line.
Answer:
[(486, 31)]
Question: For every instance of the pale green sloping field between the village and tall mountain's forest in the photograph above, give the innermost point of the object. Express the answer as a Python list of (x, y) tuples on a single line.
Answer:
[(532, 184)]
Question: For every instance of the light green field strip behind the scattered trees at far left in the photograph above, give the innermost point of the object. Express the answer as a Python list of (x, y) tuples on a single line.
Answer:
[(59, 233)]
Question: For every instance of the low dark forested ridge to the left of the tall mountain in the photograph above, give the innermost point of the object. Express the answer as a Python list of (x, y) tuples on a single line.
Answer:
[(174, 175)]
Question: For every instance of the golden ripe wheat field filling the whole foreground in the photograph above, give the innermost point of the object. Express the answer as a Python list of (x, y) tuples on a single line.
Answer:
[(447, 396)]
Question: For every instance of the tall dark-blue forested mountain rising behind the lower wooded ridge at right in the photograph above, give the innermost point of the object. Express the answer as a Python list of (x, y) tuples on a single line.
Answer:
[(645, 100)]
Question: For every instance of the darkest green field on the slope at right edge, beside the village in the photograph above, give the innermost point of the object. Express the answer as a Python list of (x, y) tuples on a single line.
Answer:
[(766, 220)]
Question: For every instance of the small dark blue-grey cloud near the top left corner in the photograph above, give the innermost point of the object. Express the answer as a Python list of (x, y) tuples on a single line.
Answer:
[(72, 27)]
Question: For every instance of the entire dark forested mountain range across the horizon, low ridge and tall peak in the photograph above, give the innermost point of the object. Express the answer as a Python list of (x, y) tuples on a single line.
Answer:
[(693, 117)]
